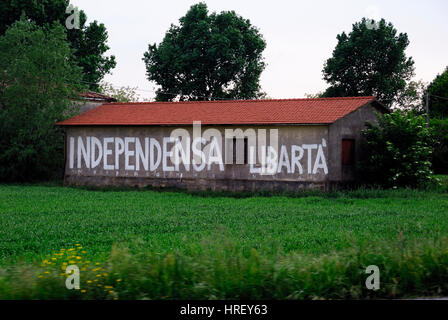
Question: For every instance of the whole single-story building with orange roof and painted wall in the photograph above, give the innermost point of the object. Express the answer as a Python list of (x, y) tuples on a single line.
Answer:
[(288, 144)]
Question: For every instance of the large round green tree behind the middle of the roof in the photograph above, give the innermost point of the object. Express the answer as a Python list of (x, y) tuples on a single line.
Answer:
[(206, 57)]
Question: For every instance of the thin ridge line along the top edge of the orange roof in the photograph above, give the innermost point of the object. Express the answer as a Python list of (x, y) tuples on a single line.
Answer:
[(239, 101)]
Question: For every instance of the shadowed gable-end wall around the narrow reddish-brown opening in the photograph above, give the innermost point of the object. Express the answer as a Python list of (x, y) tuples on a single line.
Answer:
[(348, 127)]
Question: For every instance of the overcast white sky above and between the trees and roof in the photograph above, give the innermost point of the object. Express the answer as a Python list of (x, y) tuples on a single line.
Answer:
[(300, 35)]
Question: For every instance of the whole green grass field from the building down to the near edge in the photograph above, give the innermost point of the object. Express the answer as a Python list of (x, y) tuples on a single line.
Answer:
[(225, 233)]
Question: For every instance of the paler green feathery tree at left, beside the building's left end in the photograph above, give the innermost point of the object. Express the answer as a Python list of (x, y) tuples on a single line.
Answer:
[(38, 73)]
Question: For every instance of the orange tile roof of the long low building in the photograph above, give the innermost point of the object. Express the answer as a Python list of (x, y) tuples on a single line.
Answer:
[(225, 112)]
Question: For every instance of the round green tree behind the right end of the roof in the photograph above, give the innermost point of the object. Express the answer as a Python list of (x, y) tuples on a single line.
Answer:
[(370, 60)]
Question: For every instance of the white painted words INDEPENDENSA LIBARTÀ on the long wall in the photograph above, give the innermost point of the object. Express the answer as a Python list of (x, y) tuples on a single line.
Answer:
[(202, 151)]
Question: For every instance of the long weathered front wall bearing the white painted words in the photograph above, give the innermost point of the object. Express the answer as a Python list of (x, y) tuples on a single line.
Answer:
[(294, 173)]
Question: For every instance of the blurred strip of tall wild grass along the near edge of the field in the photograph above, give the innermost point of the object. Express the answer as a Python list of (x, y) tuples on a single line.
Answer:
[(222, 270)]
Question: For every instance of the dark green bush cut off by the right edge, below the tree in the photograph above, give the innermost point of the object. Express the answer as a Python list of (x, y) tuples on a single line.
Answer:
[(439, 131)]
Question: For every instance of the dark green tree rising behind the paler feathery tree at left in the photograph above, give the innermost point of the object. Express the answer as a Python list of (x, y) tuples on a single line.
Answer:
[(89, 41)]
